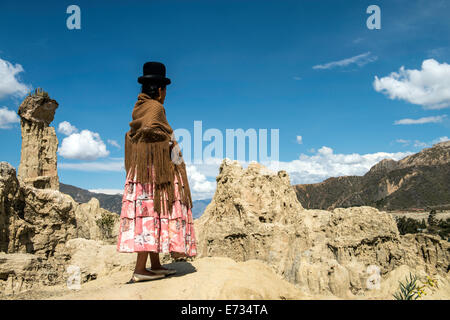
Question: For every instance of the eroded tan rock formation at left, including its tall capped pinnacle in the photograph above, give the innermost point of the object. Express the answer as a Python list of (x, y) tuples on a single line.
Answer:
[(36, 219)]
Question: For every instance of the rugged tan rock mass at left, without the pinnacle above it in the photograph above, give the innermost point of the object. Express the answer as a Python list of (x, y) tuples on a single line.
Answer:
[(35, 227)]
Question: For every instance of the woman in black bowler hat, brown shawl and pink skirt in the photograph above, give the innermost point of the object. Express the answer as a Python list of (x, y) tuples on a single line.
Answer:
[(156, 214)]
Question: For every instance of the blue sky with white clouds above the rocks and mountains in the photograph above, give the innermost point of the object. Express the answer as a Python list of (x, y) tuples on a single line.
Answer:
[(306, 68)]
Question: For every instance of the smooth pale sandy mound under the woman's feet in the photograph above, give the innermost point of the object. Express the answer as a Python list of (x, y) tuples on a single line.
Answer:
[(205, 278)]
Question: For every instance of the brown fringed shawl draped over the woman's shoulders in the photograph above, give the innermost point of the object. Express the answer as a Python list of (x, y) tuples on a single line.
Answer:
[(149, 142)]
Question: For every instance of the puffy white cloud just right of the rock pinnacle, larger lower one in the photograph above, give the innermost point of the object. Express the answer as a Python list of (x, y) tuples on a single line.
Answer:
[(86, 145)]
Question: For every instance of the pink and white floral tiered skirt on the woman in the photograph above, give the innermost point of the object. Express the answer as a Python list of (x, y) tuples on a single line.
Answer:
[(142, 229)]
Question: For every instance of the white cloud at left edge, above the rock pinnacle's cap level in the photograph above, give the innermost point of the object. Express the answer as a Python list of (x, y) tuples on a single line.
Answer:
[(9, 84)]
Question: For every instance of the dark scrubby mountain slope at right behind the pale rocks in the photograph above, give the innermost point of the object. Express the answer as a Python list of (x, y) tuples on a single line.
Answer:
[(419, 181)]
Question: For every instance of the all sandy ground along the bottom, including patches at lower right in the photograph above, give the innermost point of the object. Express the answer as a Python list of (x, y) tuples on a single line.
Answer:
[(214, 278)]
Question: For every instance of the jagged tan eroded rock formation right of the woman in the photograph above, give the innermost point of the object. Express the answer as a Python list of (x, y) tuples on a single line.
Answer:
[(255, 215)]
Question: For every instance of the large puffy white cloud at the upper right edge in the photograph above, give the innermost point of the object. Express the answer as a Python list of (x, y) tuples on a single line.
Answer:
[(428, 87)]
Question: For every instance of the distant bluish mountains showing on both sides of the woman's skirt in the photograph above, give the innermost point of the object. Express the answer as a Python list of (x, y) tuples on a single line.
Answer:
[(113, 202)]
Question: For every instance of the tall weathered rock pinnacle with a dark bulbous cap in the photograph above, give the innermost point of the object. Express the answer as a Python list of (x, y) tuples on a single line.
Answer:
[(38, 163)]
